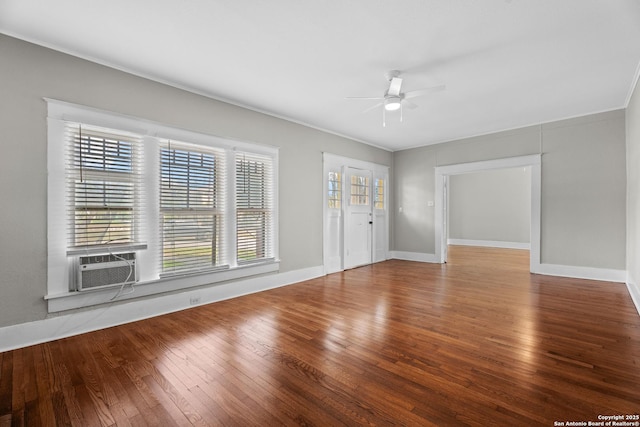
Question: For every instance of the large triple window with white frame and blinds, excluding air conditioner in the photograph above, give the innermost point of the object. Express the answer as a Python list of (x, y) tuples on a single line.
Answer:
[(192, 207)]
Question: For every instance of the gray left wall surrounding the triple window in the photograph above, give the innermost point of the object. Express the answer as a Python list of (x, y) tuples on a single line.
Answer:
[(28, 73)]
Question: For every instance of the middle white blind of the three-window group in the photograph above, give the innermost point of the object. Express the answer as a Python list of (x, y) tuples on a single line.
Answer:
[(192, 187)]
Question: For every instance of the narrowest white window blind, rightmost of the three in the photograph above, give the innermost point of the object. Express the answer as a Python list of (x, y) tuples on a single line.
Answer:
[(254, 208)]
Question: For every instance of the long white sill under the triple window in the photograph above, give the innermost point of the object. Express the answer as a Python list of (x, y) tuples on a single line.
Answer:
[(73, 300)]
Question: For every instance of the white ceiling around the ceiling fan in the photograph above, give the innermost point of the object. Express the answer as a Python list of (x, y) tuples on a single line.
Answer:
[(505, 63)]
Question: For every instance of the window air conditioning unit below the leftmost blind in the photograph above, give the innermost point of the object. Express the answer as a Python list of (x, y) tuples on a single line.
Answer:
[(101, 271)]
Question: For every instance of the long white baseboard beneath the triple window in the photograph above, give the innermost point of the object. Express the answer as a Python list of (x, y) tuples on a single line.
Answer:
[(64, 325)]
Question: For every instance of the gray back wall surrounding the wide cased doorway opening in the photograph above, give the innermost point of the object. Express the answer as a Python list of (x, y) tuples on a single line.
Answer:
[(583, 187)]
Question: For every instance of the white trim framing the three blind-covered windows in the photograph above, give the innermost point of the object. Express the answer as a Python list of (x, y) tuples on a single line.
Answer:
[(59, 263)]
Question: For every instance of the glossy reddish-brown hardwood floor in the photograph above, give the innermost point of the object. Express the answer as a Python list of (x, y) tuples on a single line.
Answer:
[(478, 341)]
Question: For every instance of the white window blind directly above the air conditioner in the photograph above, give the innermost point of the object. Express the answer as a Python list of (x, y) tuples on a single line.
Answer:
[(103, 183)]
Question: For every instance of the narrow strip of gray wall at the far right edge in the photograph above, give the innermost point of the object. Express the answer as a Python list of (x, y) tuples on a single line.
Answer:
[(633, 187)]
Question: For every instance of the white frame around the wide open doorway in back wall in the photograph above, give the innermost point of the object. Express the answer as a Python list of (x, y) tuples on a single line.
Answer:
[(442, 174)]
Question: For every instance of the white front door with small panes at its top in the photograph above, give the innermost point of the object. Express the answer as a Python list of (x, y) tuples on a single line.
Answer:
[(358, 218)]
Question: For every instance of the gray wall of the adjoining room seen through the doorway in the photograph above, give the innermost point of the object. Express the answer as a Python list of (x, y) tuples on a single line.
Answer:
[(491, 205)]
